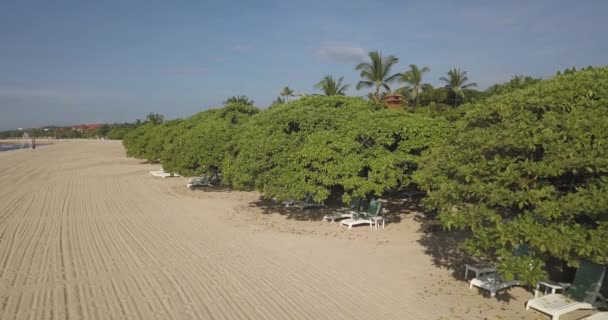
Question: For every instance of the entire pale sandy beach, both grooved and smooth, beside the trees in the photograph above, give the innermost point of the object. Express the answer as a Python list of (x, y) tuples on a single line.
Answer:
[(86, 233)]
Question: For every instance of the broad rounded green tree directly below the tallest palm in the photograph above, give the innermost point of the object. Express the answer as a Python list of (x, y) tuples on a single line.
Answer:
[(321, 145)]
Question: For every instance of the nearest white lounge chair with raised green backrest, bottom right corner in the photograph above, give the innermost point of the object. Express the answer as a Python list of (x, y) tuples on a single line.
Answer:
[(583, 294)]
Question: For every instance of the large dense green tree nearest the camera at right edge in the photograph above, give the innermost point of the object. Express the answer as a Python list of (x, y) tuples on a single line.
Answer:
[(530, 166)]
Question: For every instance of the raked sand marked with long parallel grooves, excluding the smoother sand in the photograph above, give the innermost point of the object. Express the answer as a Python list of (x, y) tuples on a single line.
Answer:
[(88, 235)]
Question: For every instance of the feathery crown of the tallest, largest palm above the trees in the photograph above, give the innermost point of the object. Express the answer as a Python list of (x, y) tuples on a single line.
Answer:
[(377, 73)]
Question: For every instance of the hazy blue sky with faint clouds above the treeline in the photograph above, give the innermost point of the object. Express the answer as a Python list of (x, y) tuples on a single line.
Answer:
[(68, 62)]
